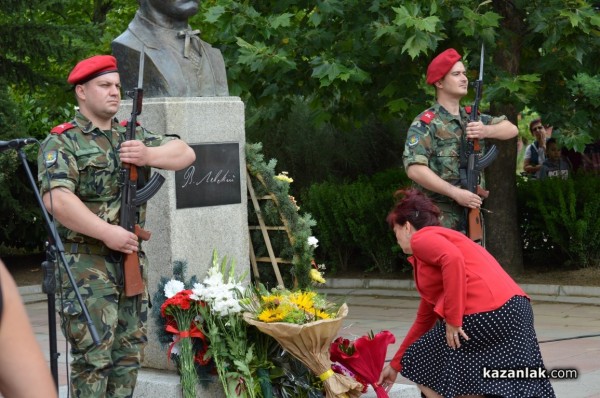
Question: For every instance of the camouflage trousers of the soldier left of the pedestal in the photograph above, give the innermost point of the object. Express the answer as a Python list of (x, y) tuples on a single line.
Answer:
[(110, 369)]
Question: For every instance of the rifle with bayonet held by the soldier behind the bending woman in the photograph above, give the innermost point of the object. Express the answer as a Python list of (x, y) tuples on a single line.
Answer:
[(476, 162)]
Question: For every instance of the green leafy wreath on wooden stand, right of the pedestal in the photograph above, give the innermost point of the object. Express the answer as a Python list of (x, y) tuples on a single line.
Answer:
[(298, 251)]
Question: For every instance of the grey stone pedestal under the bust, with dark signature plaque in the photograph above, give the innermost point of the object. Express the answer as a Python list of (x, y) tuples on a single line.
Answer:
[(192, 233)]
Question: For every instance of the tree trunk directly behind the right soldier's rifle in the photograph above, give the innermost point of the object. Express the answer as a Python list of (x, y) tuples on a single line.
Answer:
[(503, 237)]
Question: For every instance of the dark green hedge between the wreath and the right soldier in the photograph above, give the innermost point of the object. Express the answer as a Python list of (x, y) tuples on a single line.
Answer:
[(351, 216)]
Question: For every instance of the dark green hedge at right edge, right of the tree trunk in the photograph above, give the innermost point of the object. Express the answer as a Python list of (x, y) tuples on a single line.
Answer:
[(562, 215)]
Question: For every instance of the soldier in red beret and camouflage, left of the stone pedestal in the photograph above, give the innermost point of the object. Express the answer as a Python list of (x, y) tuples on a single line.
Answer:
[(80, 182)]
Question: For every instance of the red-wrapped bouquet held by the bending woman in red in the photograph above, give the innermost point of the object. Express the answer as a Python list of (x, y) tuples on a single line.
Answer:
[(365, 357)]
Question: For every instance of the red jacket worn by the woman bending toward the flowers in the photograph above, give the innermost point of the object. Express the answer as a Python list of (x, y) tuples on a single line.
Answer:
[(455, 277)]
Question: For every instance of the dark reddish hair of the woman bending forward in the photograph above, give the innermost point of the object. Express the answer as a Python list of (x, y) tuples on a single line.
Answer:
[(415, 207)]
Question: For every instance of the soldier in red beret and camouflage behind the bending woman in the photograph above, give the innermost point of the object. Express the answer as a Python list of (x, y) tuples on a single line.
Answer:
[(433, 144)]
